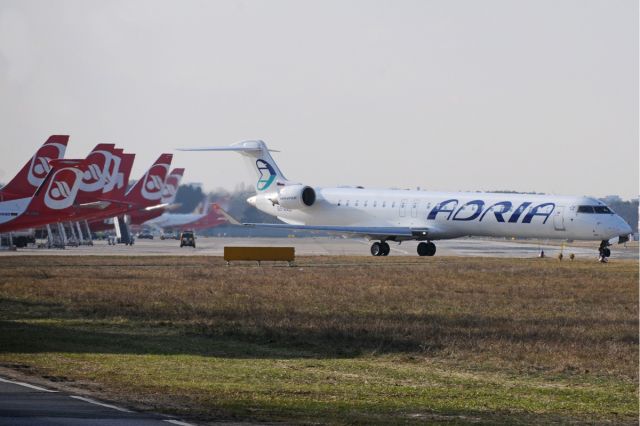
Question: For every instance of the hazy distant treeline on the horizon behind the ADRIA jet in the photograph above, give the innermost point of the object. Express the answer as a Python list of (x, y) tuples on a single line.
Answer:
[(191, 196)]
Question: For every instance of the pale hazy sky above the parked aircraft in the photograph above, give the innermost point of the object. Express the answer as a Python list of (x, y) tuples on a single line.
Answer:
[(445, 95)]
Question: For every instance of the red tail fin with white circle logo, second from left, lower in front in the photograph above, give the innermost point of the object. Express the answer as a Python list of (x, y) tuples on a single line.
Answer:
[(59, 189)]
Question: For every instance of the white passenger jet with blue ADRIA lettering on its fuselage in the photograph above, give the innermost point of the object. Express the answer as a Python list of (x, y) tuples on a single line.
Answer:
[(399, 215)]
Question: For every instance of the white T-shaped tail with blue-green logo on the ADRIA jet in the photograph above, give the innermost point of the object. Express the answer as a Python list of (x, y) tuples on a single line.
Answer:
[(258, 159)]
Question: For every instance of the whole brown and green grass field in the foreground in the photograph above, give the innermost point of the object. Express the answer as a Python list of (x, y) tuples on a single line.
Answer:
[(343, 340)]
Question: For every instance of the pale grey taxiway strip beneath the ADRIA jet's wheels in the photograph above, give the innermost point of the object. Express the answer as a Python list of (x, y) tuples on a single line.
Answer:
[(214, 246)]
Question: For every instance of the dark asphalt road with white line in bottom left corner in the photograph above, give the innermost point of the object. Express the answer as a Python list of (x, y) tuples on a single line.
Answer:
[(23, 404)]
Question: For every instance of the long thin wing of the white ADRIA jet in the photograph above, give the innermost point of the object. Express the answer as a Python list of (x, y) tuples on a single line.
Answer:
[(370, 232)]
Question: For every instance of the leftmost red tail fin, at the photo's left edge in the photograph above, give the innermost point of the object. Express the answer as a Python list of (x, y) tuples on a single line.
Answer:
[(32, 174)]
